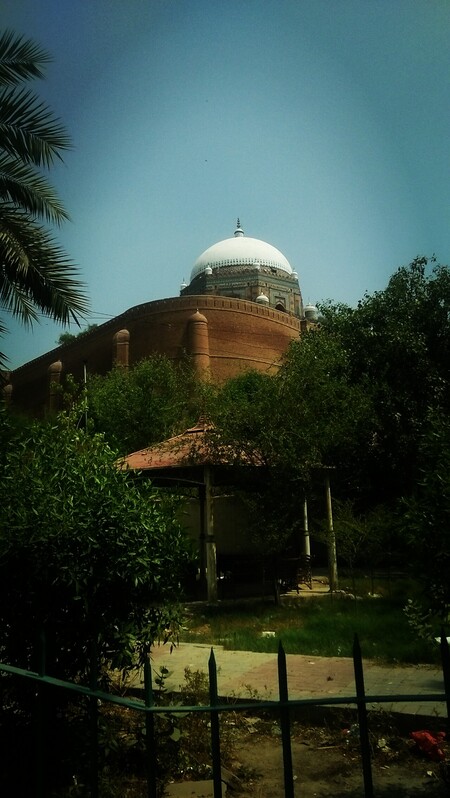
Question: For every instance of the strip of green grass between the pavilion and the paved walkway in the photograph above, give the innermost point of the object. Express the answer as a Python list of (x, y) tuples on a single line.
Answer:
[(320, 627)]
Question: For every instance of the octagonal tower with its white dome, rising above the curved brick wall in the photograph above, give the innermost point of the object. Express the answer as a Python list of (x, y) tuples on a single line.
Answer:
[(246, 268)]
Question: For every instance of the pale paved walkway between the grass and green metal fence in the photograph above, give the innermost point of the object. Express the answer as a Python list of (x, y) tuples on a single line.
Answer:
[(242, 674)]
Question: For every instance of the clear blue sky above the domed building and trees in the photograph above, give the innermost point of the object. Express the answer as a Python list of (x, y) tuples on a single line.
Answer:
[(324, 125)]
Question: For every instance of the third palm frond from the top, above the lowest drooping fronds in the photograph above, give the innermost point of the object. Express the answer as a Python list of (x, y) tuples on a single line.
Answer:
[(22, 187)]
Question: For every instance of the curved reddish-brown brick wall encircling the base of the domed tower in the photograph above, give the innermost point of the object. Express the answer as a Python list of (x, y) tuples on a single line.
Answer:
[(242, 335)]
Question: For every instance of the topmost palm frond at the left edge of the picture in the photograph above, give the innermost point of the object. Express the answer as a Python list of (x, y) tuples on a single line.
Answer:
[(20, 59)]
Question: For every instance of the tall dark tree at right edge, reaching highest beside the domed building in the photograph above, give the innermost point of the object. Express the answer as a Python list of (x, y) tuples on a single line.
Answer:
[(398, 347)]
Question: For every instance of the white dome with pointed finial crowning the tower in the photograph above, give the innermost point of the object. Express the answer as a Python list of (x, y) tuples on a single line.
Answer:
[(240, 251)]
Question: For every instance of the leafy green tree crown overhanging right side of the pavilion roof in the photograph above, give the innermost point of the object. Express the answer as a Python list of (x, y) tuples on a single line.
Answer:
[(299, 419)]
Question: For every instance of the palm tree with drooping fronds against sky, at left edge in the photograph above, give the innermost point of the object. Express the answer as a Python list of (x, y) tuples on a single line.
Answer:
[(36, 276)]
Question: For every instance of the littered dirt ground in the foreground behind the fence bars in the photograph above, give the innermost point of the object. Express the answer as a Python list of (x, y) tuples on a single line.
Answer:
[(325, 754)]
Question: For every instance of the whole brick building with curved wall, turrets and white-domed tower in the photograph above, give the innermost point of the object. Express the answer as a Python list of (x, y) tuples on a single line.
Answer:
[(240, 310)]
